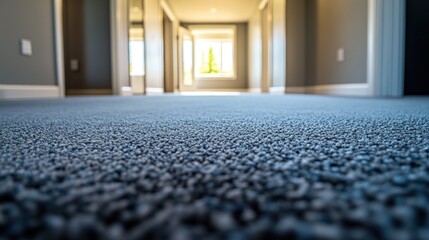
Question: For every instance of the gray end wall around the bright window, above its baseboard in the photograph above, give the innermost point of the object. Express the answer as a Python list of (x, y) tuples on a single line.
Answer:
[(242, 81)]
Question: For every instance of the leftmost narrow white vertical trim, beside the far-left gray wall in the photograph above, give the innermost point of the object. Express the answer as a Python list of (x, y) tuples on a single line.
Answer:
[(59, 46)]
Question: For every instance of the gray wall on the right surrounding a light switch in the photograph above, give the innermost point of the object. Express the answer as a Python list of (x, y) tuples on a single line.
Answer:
[(333, 24)]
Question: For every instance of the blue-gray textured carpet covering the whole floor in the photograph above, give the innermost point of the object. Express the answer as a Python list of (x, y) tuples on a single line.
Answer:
[(230, 167)]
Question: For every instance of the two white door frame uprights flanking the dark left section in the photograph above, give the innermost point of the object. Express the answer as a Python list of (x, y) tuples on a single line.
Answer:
[(119, 46)]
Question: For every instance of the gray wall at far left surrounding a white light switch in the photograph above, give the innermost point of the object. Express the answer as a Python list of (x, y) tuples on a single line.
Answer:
[(31, 20)]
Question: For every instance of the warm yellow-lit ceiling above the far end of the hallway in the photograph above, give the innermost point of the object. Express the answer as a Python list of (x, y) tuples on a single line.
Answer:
[(213, 10)]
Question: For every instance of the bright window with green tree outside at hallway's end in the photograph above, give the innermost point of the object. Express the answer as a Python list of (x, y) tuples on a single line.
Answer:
[(214, 52)]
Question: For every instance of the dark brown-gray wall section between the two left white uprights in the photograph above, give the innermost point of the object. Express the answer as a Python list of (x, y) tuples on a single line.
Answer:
[(87, 38)]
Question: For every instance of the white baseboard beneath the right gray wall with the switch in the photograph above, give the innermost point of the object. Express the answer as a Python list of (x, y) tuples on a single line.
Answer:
[(356, 89)]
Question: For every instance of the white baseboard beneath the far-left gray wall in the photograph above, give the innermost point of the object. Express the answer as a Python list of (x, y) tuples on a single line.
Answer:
[(11, 91)]
